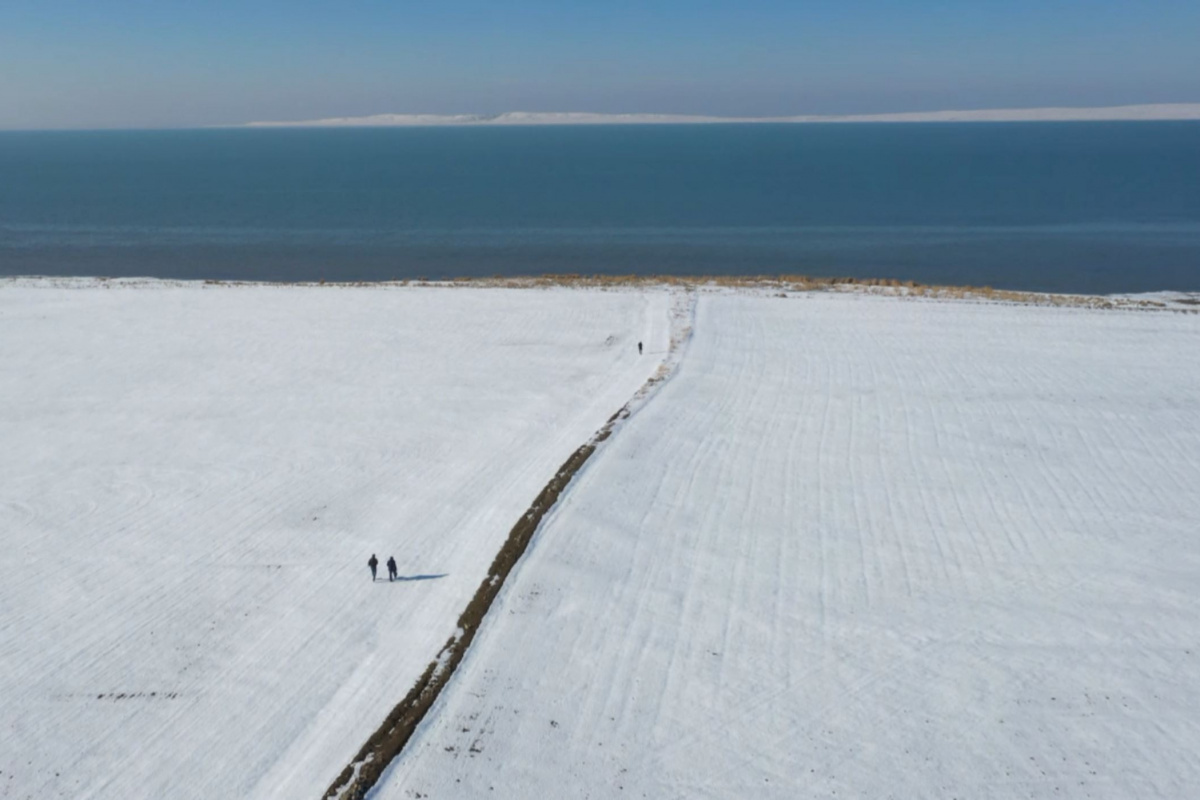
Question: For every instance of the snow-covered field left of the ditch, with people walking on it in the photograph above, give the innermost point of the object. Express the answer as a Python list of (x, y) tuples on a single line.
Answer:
[(193, 480)]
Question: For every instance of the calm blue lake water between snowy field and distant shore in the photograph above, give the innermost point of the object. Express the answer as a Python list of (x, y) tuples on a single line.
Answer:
[(1095, 208)]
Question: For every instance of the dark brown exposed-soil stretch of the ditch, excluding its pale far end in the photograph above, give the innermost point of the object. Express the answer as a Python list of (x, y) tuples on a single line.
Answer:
[(362, 774)]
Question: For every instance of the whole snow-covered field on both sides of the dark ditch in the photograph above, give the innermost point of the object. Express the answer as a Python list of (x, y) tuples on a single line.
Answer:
[(856, 546)]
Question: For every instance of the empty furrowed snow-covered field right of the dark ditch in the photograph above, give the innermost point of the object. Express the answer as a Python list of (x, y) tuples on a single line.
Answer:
[(860, 548)]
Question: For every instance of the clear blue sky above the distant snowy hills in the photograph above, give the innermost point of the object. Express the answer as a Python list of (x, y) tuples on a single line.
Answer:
[(152, 64)]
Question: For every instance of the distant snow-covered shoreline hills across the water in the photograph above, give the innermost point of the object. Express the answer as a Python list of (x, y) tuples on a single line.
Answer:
[(1162, 112)]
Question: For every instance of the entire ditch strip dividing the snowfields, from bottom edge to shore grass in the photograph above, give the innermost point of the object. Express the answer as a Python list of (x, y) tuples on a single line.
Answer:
[(387, 743)]
